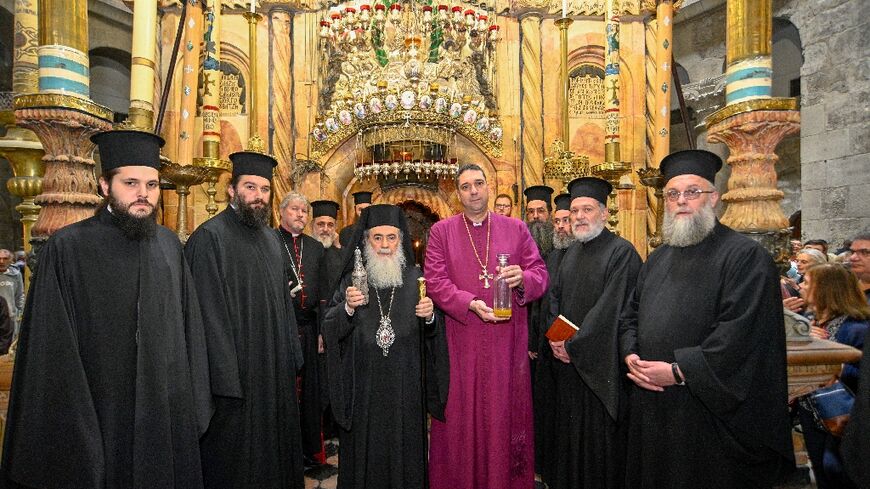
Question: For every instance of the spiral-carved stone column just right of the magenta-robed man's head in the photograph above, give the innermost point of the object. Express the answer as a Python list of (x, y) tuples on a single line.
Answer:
[(531, 79)]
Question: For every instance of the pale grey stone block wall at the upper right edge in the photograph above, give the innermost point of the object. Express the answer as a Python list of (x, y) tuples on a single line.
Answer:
[(835, 127)]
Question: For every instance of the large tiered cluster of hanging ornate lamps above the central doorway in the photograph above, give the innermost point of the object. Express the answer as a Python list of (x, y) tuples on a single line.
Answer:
[(407, 71)]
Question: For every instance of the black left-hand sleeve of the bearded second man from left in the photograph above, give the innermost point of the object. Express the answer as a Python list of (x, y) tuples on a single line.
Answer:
[(203, 255)]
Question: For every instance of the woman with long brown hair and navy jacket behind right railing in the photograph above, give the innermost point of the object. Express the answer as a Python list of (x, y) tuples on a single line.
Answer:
[(841, 315)]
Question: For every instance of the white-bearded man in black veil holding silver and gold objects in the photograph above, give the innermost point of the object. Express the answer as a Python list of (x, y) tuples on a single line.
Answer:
[(375, 361)]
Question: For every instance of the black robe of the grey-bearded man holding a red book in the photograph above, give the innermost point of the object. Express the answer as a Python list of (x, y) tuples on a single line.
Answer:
[(587, 401)]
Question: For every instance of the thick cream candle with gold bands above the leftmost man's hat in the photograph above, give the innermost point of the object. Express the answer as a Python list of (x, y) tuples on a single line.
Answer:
[(142, 65)]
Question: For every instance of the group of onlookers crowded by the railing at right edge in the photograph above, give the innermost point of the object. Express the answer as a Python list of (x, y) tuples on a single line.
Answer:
[(831, 289)]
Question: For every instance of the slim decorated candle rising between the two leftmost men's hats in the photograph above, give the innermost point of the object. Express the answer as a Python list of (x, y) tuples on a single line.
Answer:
[(211, 82)]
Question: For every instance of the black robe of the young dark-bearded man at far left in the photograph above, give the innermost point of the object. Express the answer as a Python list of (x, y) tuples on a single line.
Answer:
[(111, 386)]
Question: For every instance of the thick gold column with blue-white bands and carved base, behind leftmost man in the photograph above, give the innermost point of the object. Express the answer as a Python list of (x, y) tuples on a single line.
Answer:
[(63, 118)]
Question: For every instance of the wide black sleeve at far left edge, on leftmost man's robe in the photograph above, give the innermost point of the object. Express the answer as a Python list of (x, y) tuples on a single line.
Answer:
[(53, 434)]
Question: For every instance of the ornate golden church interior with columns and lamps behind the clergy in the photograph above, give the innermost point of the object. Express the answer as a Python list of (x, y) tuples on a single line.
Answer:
[(392, 96)]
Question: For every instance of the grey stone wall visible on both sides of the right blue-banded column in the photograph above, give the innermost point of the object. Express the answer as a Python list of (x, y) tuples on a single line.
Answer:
[(825, 172)]
